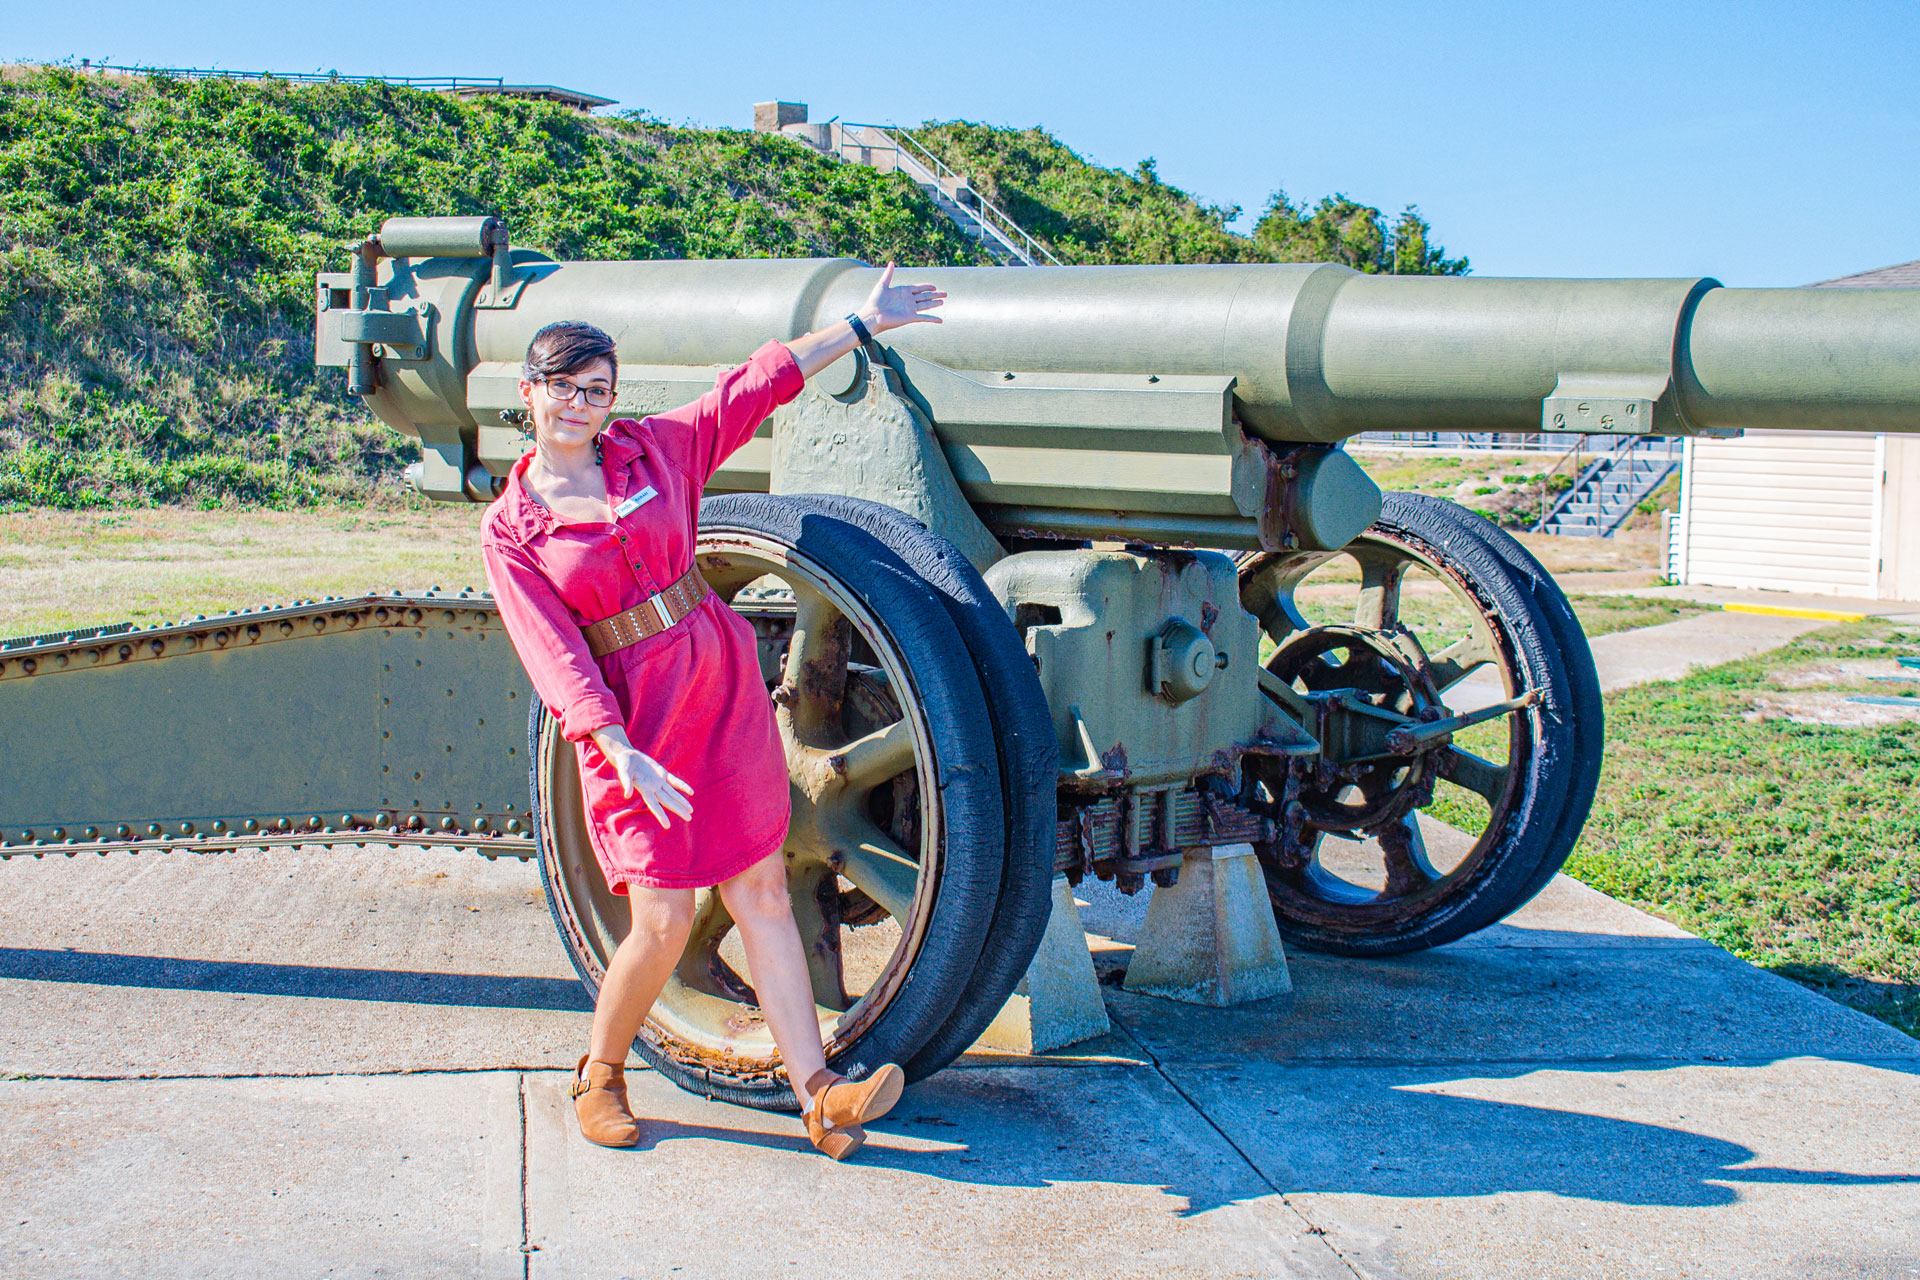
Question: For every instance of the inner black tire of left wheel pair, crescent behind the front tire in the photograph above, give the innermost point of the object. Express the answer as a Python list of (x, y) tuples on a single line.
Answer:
[(1030, 765)]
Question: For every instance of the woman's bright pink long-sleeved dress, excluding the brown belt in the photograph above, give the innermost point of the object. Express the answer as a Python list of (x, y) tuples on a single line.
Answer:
[(692, 698)]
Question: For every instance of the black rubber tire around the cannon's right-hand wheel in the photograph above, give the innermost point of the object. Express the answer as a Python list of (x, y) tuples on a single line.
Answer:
[(1552, 655)]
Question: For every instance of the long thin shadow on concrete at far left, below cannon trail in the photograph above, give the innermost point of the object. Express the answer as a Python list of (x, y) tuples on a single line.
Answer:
[(312, 982)]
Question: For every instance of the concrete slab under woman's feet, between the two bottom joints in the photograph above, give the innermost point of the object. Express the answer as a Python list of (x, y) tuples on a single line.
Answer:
[(978, 1173)]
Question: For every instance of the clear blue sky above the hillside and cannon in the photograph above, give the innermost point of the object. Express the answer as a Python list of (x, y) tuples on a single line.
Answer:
[(1758, 143)]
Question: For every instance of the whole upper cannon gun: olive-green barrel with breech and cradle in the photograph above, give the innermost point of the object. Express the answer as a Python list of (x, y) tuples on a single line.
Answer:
[(1111, 402)]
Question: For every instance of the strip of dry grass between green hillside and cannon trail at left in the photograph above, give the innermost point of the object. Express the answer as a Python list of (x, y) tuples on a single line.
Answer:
[(155, 565)]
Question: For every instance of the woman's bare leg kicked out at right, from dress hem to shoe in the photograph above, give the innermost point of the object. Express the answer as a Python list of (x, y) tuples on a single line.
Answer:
[(777, 966)]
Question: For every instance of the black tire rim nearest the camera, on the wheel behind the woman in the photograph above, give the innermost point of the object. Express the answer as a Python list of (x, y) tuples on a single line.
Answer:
[(944, 682)]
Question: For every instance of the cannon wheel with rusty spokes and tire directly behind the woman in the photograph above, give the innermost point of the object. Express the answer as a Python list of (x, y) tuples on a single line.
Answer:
[(898, 841)]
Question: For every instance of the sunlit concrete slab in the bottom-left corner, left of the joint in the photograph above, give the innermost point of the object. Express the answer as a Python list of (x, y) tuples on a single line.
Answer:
[(347, 1175)]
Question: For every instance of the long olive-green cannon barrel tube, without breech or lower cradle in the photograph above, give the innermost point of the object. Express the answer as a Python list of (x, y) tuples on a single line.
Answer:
[(1318, 352)]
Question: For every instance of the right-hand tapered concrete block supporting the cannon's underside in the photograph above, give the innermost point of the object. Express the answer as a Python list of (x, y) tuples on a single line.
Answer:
[(1211, 939)]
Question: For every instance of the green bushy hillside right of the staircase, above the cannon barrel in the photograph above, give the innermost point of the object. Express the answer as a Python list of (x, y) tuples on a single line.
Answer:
[(1111, 216)]
